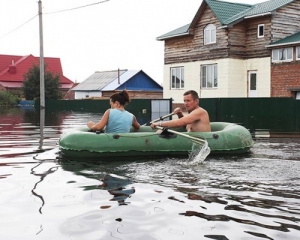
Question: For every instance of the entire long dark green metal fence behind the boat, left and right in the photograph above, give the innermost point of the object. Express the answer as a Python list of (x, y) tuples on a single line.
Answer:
[(276, 115)]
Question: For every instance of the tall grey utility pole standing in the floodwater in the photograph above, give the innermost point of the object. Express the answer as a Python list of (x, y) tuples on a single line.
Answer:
[(42, 80)]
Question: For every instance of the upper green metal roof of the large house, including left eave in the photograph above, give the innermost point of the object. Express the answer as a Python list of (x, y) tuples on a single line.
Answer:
[(230, 13)]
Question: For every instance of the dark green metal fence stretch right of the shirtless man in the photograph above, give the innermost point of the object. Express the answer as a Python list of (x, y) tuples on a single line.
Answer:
[(271, 114)]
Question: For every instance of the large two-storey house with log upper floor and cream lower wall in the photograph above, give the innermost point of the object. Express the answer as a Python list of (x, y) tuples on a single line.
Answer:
[(235, 50)]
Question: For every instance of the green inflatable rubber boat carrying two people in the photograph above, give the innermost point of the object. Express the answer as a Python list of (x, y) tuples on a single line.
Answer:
[(225, 138)]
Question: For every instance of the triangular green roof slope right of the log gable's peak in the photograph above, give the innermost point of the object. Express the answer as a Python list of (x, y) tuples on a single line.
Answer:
[(225, 10)]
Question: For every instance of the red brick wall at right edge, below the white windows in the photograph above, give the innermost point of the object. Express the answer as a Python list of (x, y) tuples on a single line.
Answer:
[(284, 76)]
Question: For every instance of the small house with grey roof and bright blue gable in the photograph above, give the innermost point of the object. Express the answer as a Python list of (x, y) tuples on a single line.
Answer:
[(104, 84)]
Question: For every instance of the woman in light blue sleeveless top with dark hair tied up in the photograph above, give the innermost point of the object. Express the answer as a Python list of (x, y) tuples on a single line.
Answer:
[(116, 119)]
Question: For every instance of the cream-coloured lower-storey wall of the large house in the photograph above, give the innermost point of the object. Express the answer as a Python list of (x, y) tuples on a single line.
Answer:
[(232, 78)]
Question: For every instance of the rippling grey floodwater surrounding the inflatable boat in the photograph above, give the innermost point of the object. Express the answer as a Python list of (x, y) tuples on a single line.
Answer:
[(44, 196)]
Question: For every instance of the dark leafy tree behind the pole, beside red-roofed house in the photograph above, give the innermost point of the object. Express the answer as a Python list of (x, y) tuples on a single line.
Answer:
[(31, 84)]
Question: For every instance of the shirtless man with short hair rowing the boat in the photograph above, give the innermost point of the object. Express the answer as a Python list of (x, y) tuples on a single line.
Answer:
[(196, 121)]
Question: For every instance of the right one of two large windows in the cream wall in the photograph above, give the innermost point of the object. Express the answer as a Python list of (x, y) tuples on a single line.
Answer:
[(209, 76)]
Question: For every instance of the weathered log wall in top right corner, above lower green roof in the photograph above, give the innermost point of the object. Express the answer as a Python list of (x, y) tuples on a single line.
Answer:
[(283, 22)]
